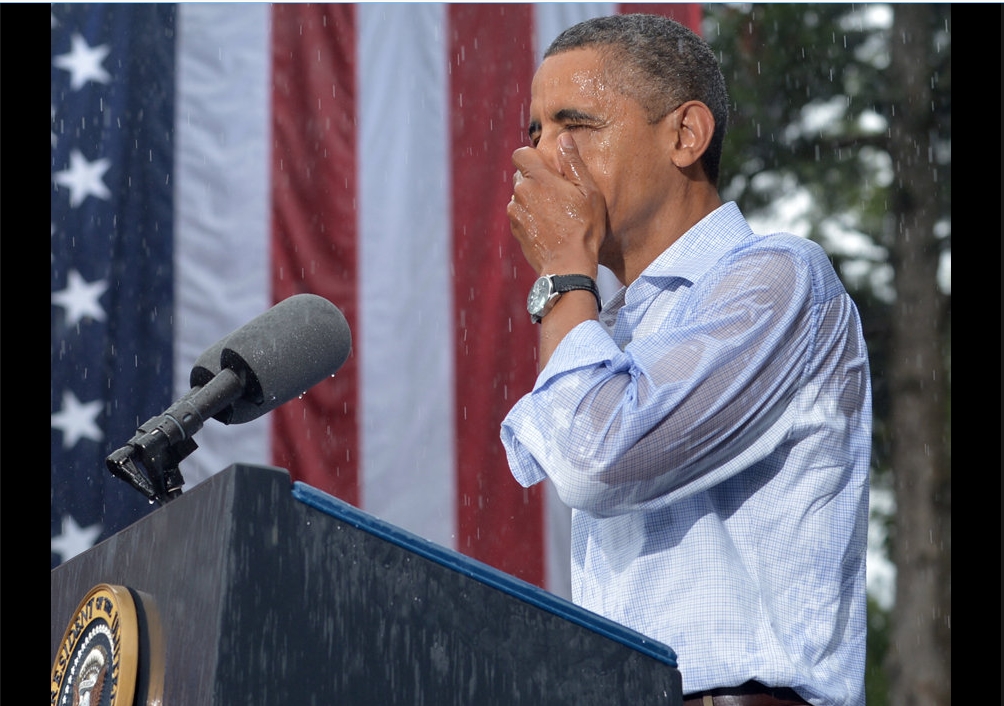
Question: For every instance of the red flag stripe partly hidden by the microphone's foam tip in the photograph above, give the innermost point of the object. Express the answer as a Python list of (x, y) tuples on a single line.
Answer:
[(315, 226)]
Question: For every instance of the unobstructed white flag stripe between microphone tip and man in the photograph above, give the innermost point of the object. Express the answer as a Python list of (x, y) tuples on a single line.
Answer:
[(407, 402)]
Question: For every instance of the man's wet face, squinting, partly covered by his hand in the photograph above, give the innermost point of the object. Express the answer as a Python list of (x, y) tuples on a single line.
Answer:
[(625, 154)]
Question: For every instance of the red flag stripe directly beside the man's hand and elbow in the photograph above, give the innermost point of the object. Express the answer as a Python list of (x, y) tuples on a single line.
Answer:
[(491, 57)]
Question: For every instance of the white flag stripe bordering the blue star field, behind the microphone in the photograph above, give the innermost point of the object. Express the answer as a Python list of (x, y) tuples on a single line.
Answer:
[(221, 203)]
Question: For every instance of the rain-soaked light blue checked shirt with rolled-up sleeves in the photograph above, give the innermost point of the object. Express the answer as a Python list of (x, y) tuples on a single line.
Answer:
[(712, 435)]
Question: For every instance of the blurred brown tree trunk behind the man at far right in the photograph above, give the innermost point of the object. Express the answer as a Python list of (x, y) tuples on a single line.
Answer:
[(920, 658)]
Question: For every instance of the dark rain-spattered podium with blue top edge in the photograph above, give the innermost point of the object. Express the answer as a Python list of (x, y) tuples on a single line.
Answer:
[(254, 590)]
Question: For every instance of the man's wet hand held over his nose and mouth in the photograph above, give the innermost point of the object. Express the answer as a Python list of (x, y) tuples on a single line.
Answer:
[(558, 215)]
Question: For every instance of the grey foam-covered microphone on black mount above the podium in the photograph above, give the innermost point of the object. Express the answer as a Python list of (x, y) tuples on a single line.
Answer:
[(265, 364)]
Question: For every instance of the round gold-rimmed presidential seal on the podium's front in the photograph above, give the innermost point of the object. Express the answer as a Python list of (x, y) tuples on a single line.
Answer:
[(99, 656)]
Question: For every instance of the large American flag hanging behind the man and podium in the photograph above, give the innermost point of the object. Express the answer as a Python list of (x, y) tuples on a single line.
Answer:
[(210, 160)]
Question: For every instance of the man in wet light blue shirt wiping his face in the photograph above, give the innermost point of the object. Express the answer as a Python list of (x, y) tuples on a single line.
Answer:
[(710, 427)]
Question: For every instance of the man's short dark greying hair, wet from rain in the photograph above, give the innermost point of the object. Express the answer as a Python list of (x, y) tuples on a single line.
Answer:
[(662, 65)]
